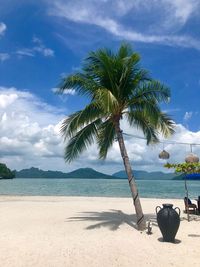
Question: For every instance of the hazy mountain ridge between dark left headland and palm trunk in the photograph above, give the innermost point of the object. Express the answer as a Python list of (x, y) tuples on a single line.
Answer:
[(79, 173)]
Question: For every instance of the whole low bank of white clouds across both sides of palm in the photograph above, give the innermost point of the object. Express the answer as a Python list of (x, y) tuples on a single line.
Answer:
[(30, 136)]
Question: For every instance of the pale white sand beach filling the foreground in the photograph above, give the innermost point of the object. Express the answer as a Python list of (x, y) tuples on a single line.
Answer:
[(83, 231)]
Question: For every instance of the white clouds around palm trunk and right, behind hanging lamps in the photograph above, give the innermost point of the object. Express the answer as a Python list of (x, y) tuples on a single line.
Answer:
[(146, 157)]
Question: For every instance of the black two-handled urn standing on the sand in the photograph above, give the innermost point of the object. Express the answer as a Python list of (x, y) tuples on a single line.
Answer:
[(168, 221)]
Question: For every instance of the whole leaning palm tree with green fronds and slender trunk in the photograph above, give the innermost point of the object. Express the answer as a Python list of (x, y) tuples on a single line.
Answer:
[(117, 88)]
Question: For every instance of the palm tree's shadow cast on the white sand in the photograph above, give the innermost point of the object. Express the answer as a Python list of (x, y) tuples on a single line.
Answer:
[(111, 219)]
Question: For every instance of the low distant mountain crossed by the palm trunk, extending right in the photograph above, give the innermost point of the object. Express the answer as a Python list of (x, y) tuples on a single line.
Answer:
[(143, 175)]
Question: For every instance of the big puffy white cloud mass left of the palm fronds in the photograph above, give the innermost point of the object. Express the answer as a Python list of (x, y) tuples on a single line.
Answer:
[(29, 130)]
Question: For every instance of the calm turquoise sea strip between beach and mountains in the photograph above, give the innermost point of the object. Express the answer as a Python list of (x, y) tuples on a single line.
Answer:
[(97, 188)]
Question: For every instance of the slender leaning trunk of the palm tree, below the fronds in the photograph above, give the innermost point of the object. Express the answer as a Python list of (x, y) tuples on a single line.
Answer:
[(141, 223)]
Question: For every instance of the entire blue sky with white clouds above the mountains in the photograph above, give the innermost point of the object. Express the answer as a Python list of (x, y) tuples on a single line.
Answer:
[(43, 41)]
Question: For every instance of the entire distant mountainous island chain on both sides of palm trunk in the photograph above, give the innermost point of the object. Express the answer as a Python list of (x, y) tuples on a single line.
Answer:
[(89, 173)]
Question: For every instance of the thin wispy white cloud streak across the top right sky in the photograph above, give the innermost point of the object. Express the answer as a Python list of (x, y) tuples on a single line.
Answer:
[(169, 16)]
